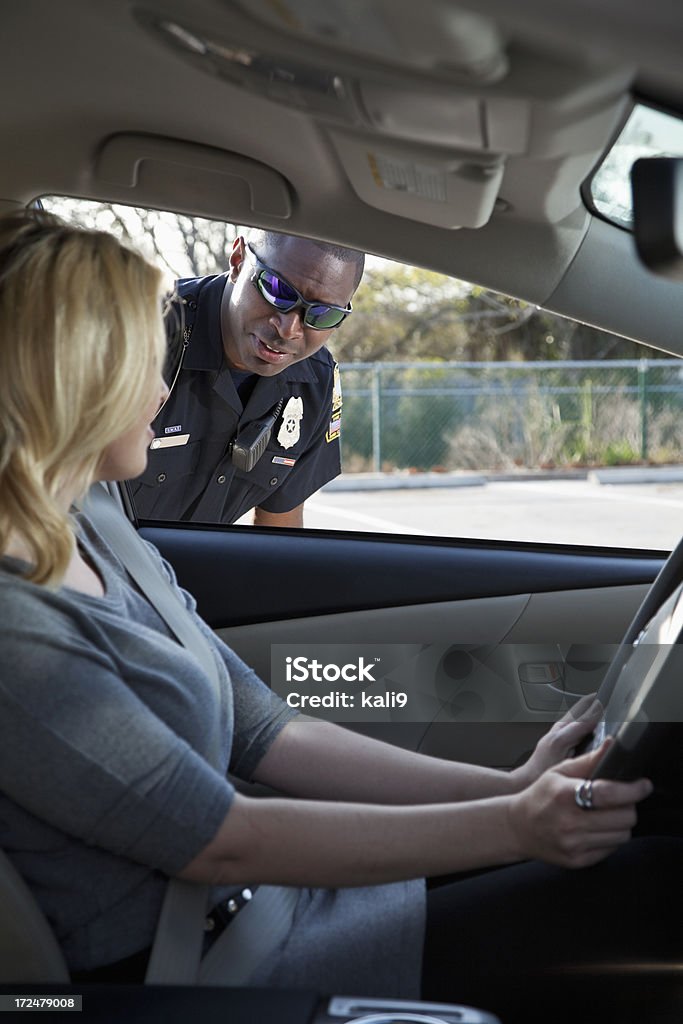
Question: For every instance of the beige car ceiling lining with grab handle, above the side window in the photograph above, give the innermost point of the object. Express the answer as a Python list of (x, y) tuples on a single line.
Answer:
[(100, 105)]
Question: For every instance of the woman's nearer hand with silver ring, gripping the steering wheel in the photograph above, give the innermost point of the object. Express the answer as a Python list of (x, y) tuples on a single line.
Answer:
[(550, 826)]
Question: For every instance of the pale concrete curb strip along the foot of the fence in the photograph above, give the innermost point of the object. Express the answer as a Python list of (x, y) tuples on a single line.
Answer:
[(415, 482)]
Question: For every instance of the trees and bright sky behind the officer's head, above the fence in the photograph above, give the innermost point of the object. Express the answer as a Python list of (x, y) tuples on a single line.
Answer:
[(401, 313)]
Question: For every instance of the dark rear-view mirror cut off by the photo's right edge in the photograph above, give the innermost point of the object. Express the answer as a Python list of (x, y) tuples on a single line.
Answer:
[(658, 215)]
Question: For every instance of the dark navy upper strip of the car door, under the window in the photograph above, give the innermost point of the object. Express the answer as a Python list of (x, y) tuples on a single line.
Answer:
[(242, 576)]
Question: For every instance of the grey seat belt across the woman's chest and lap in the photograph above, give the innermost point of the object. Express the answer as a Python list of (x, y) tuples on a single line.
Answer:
[(266, 921)]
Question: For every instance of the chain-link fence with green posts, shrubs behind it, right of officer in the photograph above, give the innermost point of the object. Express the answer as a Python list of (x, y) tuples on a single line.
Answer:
[(501, 416)]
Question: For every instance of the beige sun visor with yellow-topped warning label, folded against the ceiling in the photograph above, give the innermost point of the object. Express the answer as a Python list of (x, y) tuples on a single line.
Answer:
[(429, 185)]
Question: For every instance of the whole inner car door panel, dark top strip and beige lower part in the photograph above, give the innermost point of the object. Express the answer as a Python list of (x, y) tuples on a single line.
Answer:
[(486, 672)]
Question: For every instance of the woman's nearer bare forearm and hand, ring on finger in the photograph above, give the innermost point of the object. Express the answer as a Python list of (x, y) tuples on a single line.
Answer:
[(338, 844)]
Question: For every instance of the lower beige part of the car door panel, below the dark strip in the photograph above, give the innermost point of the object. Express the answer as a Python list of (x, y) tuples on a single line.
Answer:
[(468, 664)]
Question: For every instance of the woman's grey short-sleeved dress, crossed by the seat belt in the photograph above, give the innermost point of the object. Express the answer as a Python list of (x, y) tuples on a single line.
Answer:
[(107, 791)]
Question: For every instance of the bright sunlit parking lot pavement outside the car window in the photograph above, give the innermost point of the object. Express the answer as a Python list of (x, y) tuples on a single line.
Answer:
[(577, 511)]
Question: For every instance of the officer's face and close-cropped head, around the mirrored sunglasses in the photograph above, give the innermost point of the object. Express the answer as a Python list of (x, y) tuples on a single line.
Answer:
[(261, 339)]
